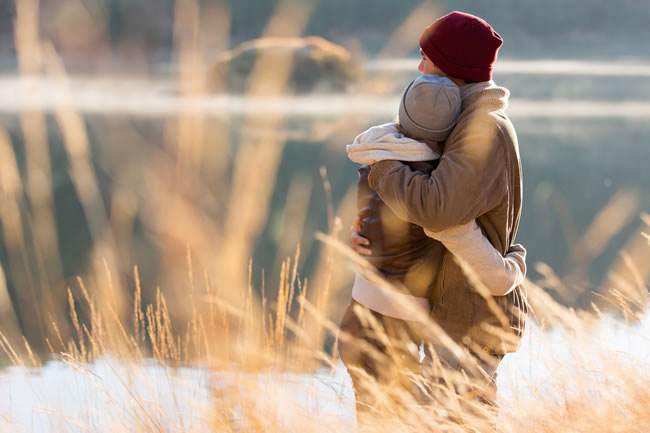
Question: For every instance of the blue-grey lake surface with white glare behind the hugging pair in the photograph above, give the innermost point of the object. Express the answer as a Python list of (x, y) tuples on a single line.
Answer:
[(583, 131)]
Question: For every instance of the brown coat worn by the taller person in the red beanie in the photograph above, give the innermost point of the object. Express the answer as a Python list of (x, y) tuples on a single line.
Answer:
[(478, 177)]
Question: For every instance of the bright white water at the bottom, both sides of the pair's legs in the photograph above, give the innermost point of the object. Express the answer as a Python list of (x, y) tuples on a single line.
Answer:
[(112, 395)]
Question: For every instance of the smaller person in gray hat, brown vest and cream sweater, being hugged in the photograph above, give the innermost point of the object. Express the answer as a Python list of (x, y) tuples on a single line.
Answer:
[(403, 253)]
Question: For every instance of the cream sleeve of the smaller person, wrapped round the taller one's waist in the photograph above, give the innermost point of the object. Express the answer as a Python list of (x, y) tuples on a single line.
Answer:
[(499, 274)]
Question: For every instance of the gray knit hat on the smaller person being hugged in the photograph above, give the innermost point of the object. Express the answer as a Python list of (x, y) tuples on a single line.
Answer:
[(429, 108)]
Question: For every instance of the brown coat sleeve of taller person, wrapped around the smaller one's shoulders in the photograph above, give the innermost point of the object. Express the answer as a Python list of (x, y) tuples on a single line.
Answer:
[(470, 180)]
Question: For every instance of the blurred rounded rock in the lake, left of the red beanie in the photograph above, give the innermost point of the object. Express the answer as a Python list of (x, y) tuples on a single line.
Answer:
[(318, 65)]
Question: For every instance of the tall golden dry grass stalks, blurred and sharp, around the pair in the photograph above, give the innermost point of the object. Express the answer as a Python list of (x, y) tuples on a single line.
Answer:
[(206, 201)]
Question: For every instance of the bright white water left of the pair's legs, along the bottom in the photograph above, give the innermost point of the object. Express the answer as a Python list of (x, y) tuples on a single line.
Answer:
[(111, 395)]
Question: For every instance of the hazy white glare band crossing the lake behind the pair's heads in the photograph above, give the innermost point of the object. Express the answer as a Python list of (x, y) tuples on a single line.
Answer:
[(158, 98)]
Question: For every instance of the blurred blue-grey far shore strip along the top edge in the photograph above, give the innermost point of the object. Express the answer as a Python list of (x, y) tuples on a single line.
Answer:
[(118, 32)]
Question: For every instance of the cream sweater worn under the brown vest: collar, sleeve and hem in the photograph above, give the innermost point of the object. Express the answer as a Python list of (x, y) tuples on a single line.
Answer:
[(499, 274)]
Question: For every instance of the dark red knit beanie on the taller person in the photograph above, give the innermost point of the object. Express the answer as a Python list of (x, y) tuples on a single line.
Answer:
[(462, 46)]
